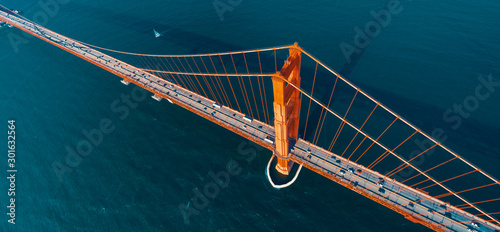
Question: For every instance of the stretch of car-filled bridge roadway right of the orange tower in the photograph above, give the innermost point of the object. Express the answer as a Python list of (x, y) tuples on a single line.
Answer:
[(389, 193)]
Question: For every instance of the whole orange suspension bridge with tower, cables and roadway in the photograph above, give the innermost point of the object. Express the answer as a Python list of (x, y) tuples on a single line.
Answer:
[(312, 117)]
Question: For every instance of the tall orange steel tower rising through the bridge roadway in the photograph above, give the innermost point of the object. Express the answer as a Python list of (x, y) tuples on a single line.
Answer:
[(287, 108)]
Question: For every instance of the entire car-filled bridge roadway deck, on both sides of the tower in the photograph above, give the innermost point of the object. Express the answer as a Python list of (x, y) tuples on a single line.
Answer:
[(429, 212)]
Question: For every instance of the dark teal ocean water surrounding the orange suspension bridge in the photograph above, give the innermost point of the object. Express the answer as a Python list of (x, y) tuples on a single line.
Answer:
[(426, 59)]
